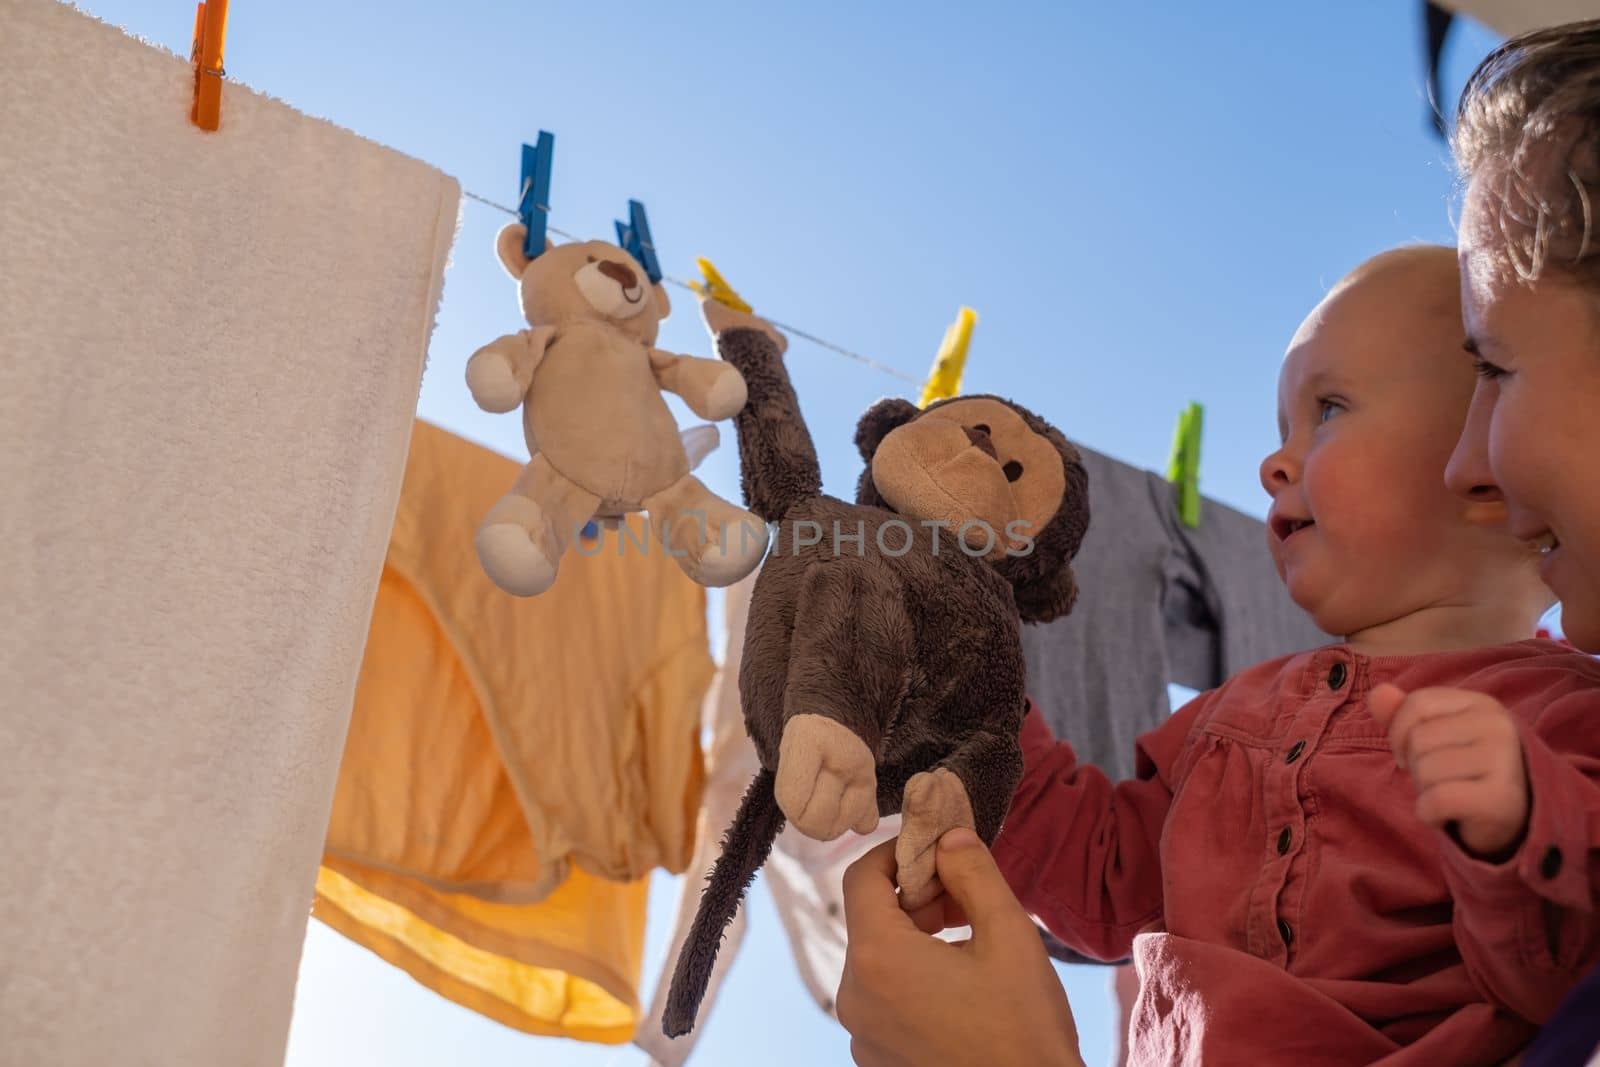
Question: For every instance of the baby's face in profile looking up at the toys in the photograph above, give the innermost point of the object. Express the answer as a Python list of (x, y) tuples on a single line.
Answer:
[(1372, 399)]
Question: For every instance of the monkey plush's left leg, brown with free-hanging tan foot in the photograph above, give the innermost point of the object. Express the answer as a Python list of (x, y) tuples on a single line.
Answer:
[(847, 677)]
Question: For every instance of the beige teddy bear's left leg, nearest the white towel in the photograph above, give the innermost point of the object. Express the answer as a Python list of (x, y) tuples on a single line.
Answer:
[(524, 537)]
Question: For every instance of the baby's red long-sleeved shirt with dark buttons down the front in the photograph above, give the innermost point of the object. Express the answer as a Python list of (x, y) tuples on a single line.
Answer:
[(1276, 890)]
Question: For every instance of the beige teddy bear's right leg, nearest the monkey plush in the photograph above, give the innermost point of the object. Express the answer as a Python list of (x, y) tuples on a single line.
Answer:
[(713, 541)]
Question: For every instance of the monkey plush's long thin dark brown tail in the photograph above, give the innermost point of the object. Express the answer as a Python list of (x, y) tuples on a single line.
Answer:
[(745, 850)]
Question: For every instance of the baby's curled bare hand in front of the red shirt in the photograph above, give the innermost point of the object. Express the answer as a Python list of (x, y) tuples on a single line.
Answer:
[(1465, 756)]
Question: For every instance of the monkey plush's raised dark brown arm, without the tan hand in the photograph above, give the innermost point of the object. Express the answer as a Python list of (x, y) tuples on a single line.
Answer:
[(778, 465)]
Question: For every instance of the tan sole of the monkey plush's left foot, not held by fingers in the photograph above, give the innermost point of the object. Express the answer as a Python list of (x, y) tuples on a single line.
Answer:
[(828, 780)]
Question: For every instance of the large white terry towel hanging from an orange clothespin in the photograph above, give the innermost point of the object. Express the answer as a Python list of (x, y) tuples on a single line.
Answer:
[(210, 356)]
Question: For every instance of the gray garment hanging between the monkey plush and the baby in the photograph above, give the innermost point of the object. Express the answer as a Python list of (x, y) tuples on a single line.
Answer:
[(1159, 602)]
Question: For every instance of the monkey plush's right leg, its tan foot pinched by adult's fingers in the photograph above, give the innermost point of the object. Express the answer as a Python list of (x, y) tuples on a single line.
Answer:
[(974, 789)]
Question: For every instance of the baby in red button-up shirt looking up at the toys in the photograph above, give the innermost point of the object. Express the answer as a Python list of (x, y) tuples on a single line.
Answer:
[(1377, 850)]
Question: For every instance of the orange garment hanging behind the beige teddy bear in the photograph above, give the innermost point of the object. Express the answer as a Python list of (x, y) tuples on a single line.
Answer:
[(516, 767)]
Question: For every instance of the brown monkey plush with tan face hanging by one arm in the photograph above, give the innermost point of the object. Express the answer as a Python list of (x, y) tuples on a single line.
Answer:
[(882, 658)]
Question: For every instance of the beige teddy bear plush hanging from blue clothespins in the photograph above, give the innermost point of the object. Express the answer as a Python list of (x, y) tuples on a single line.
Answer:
[(601, 436)]
